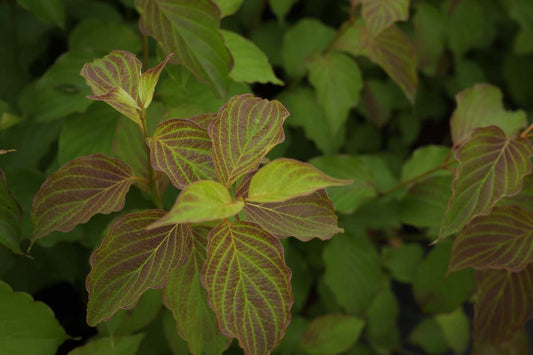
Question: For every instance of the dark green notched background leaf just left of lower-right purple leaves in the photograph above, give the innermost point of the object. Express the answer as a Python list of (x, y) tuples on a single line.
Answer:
[(437, 292)]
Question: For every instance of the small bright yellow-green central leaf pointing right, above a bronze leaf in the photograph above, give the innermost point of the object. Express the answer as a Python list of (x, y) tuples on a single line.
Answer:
[(283, 179)]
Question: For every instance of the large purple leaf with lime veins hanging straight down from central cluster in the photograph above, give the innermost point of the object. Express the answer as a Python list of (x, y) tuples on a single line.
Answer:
[(248, 285)]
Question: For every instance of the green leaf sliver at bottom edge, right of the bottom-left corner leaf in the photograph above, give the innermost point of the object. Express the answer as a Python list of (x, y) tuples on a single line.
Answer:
[(123, 345)]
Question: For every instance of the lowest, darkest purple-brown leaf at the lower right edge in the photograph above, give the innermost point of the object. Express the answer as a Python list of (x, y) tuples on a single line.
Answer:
[(504, 304)]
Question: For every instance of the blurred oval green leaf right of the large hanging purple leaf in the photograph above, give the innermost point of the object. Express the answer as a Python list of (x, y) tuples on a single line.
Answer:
[(354, 256)]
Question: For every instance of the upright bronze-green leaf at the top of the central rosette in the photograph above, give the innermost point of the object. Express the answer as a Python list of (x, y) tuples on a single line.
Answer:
[(244, 131)]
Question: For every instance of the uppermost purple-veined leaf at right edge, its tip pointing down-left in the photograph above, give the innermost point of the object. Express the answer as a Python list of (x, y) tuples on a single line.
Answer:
[(491, 166)]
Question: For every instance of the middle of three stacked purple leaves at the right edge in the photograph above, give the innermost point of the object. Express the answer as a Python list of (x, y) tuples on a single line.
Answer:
[(502, 239)]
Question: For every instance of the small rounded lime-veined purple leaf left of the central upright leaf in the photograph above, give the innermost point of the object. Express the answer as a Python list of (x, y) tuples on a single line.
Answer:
[(182, 150)]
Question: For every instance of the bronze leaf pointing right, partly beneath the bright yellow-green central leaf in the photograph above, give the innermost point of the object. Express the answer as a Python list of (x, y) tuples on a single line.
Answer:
[(303, 217)]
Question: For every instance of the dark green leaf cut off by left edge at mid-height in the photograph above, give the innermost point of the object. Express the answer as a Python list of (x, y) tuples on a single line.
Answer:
[(10, 218)]
